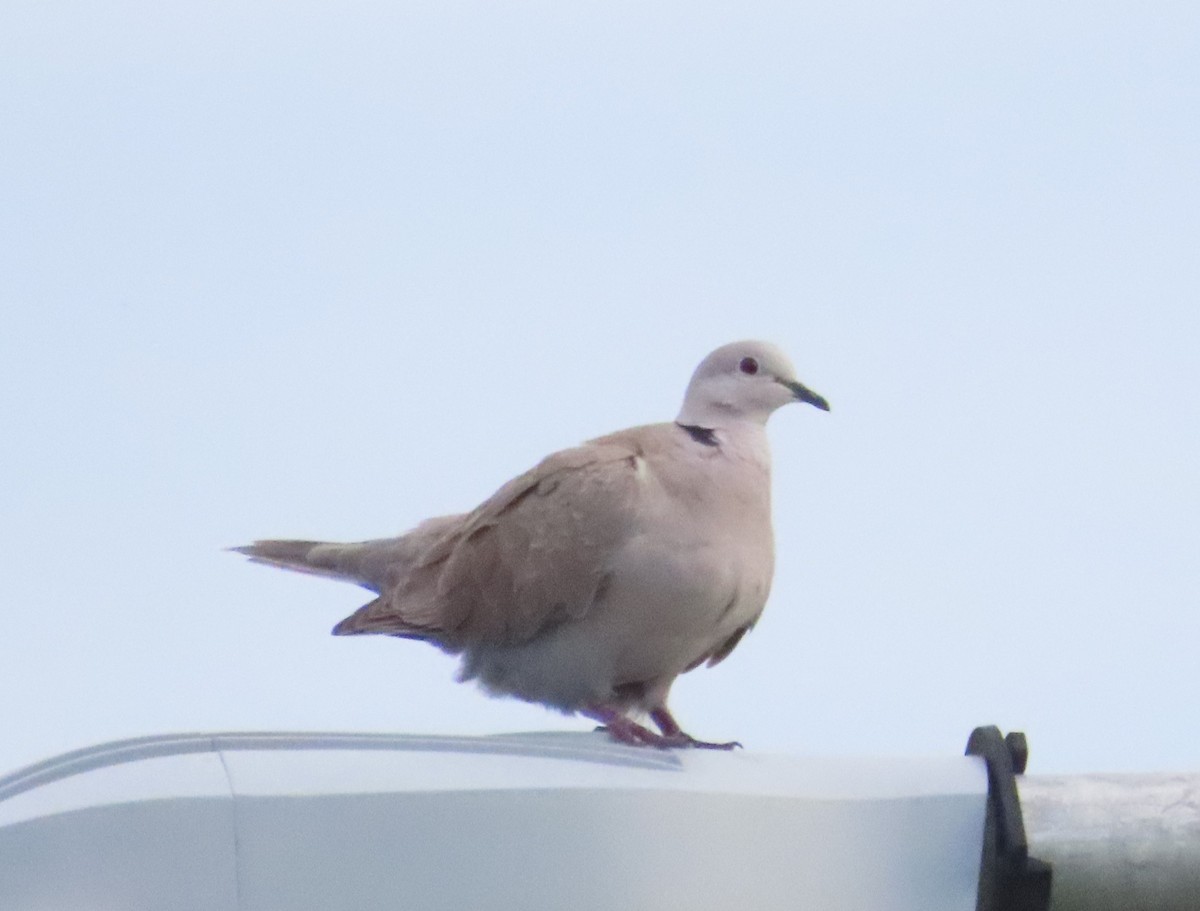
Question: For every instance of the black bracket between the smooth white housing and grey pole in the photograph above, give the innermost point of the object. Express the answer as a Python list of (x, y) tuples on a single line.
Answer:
[(1010, 880)]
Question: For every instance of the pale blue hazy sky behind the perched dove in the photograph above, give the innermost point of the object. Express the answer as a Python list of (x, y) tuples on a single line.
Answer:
[(319, 269)]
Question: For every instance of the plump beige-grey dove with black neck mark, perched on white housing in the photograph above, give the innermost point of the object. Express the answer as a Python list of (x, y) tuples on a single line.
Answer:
[(595, 580)]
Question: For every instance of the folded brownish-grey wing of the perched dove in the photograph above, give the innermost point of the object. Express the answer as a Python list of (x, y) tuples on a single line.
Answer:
[(532, 556)]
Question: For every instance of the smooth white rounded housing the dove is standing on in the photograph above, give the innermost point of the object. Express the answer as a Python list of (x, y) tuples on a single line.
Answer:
[(267, 823)]
